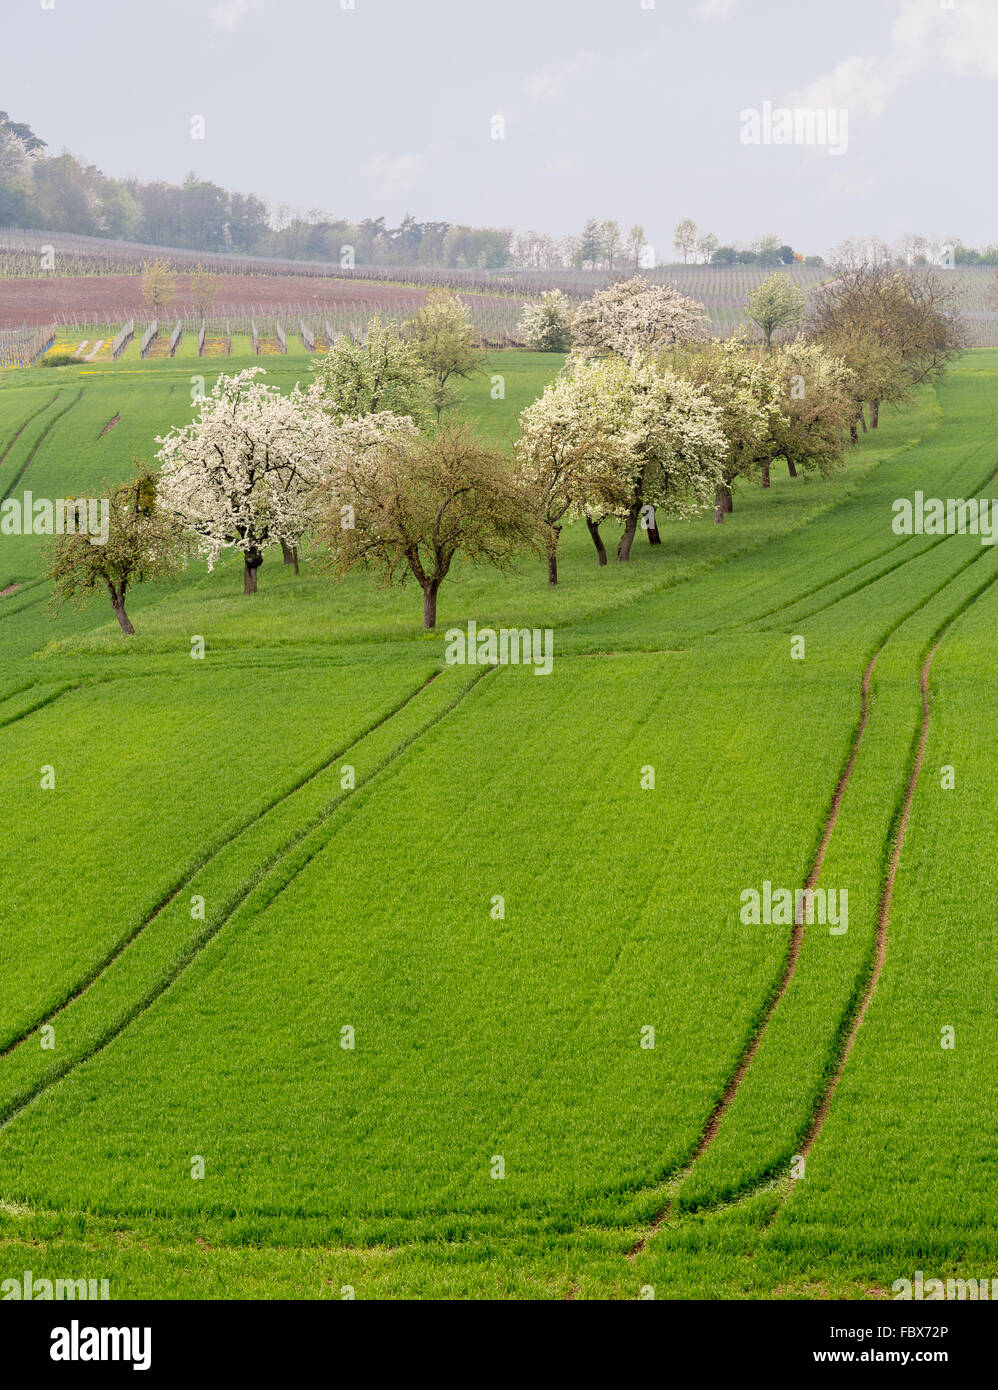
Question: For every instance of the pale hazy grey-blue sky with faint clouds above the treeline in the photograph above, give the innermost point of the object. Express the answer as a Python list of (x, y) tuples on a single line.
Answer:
[(626, 109)]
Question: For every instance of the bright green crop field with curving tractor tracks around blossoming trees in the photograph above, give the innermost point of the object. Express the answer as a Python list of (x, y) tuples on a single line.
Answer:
[(500, 1128)]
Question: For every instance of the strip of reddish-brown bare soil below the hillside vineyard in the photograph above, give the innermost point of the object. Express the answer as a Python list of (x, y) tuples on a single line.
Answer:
[(120, 297)]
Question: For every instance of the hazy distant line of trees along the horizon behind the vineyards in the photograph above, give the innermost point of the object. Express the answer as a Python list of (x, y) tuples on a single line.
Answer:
[(60, 194)]
